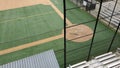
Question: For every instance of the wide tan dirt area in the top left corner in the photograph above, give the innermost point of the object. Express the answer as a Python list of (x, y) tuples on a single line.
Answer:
[(11, 4)]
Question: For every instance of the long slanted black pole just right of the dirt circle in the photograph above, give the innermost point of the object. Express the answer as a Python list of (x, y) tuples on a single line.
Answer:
[(91, 45)]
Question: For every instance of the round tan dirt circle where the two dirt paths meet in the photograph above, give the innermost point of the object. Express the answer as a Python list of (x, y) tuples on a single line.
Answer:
[(79, 33)]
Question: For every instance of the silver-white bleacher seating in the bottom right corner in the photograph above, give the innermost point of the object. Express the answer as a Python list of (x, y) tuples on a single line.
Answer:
[(107, 60)]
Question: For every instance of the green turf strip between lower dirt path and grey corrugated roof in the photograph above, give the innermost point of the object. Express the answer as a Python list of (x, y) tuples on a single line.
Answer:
[(56, 45)]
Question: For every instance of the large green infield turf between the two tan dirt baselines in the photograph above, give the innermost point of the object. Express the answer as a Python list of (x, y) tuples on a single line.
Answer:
[(28, 24)]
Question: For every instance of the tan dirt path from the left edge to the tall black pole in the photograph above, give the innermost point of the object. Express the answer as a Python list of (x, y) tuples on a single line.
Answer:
[(13, 49)]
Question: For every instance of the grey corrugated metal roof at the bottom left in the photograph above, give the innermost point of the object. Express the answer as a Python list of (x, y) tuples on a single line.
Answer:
[(43, 60)]
